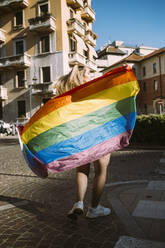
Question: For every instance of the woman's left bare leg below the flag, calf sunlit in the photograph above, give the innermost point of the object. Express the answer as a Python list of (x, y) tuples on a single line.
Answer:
[(82, 181)]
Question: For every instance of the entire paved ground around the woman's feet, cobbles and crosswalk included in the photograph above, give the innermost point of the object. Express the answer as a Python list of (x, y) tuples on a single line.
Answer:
[(33, 211)]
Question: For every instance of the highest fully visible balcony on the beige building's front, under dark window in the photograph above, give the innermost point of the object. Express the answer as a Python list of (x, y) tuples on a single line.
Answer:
[(42, 24)]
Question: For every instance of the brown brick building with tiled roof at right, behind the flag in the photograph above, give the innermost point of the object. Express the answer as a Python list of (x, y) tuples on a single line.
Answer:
[(150, 73)]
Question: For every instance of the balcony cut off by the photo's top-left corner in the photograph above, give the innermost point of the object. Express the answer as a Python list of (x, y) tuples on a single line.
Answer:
[(10, 5)]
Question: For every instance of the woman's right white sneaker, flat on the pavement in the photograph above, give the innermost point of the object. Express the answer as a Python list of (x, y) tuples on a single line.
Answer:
[(97, 212)]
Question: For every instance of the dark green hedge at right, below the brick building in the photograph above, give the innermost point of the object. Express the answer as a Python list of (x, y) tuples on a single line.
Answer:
[(149, 129)]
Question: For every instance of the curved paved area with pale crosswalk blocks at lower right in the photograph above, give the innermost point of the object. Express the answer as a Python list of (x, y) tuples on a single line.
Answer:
[(141, 208)]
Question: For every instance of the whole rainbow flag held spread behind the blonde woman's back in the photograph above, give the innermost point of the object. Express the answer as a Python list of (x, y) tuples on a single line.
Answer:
[(83, 124)]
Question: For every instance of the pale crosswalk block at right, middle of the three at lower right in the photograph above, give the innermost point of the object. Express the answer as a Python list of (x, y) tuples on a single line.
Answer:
[(150, 209)]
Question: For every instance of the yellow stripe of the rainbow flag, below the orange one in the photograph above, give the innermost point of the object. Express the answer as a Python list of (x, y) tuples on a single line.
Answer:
[(77, 109)]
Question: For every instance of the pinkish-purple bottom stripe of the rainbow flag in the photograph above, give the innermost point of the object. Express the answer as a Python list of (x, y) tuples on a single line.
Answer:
[(92, 154)]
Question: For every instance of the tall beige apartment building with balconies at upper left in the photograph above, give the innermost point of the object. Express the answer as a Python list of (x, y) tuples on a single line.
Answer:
[(40, 41)]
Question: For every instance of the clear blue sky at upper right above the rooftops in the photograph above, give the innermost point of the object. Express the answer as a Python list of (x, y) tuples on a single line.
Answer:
[(136, 22)]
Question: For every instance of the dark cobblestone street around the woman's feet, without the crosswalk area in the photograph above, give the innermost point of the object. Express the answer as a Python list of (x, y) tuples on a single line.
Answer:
[(33, 210)]
